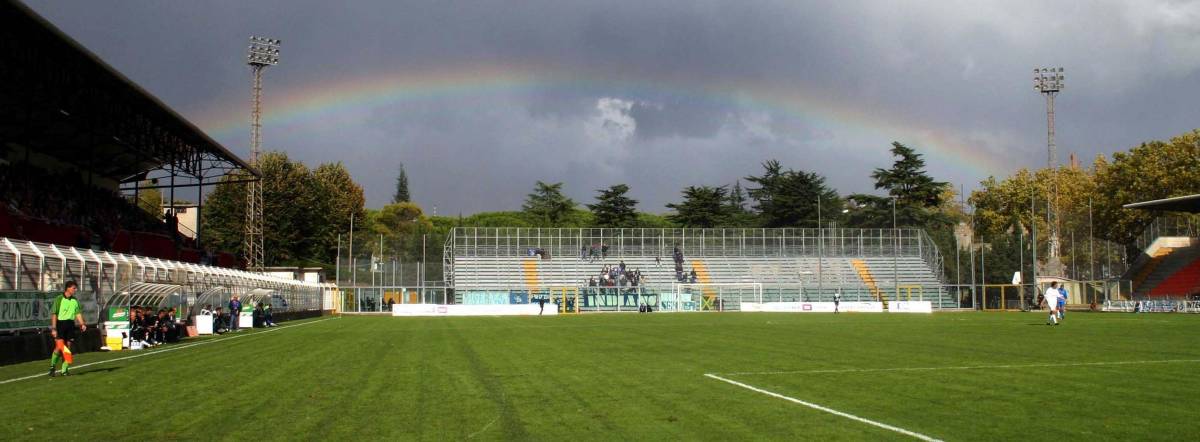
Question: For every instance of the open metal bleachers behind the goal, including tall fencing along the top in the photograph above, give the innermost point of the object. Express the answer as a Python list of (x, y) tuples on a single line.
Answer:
[(791, 265)]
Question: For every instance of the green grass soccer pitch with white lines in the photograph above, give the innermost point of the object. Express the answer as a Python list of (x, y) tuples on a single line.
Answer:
[(663, 377)]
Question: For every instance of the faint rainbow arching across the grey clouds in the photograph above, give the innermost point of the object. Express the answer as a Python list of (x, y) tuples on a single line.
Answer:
[(327, 100)]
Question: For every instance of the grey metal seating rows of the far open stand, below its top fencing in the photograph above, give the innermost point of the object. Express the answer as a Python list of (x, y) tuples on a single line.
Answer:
[(800, 274)]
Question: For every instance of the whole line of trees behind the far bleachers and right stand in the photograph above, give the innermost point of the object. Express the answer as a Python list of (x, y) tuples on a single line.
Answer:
[(307, 210)]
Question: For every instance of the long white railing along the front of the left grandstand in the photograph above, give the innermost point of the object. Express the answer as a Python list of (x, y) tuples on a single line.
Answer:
[(110, 279)]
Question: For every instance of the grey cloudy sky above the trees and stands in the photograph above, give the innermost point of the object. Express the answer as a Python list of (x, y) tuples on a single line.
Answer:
[(664, 94)]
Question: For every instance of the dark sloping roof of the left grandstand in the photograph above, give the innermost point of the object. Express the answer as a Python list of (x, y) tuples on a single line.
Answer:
[(59, 99)]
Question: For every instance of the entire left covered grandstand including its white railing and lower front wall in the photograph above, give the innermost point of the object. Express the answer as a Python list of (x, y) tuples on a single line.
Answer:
[(77, 141)]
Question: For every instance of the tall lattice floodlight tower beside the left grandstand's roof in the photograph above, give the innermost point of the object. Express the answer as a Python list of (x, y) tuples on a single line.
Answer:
[(262, 53)]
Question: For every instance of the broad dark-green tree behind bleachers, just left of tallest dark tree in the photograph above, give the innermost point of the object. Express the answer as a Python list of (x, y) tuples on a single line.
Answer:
[(790, 199)]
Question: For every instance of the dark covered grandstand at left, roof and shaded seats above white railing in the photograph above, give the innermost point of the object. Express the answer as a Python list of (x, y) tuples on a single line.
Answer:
[(77, 139)]
